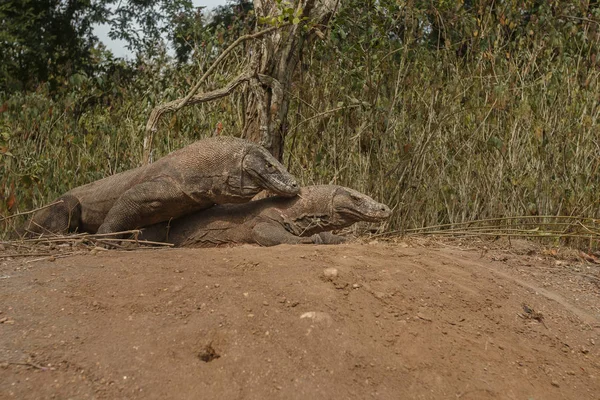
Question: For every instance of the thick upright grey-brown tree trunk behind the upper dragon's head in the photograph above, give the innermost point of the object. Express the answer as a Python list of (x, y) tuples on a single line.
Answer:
[(275, 58)]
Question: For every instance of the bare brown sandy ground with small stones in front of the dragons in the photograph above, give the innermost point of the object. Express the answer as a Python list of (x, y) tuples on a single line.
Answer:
[(402, 320)]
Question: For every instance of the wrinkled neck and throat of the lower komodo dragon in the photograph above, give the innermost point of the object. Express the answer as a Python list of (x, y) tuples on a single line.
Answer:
[(313, 212)]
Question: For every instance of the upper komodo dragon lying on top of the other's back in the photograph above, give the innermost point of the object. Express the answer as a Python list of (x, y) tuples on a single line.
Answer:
[(211, 171)]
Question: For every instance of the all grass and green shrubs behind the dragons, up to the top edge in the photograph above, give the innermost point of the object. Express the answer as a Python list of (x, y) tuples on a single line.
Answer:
[(448, 111)]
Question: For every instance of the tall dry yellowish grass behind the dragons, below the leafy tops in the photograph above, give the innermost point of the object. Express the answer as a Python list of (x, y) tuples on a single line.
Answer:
[(442, 138)]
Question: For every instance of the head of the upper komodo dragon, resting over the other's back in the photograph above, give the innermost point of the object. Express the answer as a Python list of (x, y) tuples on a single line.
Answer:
[(260, 170)]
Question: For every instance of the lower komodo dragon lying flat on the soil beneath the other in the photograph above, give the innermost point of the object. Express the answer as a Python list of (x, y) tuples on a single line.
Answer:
[(306, 218)]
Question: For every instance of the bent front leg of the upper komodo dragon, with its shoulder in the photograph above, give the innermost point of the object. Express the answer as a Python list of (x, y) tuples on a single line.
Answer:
[(148, 203)]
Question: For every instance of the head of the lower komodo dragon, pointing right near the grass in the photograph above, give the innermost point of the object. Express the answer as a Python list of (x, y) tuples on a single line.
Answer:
[(349, 205)]
